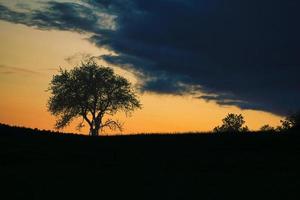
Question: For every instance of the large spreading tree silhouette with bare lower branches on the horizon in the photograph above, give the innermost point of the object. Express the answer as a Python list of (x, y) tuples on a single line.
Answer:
[(91, 92)]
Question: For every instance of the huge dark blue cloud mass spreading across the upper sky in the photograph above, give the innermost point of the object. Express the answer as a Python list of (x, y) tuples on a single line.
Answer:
[(243, 53)]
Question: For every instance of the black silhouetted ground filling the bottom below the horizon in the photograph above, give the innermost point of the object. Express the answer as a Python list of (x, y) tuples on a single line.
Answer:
[(44, 165)]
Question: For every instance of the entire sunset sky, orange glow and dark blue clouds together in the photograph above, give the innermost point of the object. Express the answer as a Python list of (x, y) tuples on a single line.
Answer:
[(194, 61)]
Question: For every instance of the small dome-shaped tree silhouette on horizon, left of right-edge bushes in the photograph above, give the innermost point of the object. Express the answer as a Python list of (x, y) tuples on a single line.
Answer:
[(232, 123)]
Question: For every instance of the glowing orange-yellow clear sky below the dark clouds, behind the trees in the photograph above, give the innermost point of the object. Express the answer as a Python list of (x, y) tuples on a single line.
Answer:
[(29, 58)]
